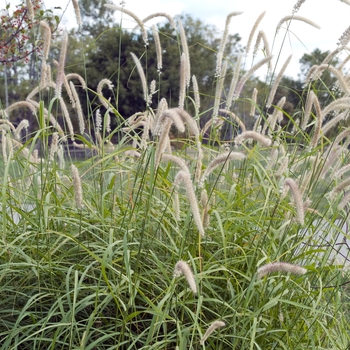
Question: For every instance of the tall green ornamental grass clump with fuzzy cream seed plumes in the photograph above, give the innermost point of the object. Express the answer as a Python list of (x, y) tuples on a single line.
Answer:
[(140, 245)]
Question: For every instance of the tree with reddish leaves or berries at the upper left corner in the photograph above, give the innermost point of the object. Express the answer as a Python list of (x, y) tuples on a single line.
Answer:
[(20, 50)]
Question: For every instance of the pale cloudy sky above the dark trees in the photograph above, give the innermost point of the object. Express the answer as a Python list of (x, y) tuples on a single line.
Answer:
[(333, 16)]
